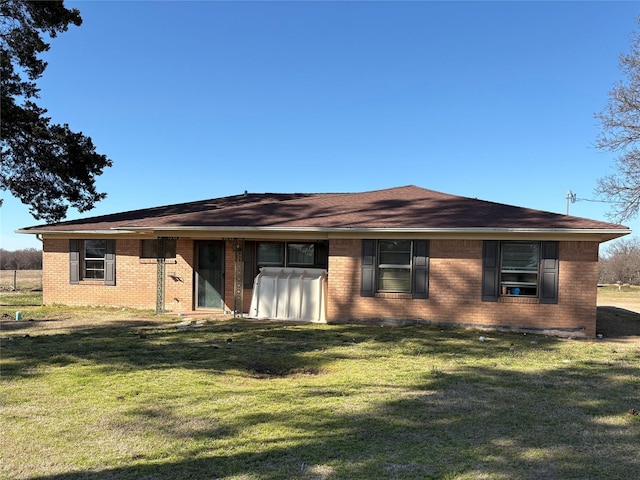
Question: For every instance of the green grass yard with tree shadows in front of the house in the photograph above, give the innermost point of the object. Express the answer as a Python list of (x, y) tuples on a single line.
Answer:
[(127, 395)]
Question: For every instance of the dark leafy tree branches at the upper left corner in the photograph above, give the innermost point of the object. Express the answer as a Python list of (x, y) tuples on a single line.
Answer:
[(47, 166)]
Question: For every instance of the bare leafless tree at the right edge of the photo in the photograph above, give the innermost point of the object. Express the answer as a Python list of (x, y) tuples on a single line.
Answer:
[(620, 134)]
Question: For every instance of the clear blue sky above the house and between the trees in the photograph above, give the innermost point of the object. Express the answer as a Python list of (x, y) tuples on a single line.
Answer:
[(196, 100)]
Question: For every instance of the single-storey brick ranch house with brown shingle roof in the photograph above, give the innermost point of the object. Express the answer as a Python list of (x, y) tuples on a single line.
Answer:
[(400, 254)]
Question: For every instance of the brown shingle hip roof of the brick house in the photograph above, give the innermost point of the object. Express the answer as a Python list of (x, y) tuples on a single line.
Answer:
[(407, 207)]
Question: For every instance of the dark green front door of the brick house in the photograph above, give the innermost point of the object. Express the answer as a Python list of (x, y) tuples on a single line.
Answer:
[(209, 274)]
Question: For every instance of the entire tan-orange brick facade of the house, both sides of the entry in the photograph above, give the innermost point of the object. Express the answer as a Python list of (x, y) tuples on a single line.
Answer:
[(454, 286)]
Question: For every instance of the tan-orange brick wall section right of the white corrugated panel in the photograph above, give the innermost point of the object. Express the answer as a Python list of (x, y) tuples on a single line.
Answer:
[(454, 290)]
